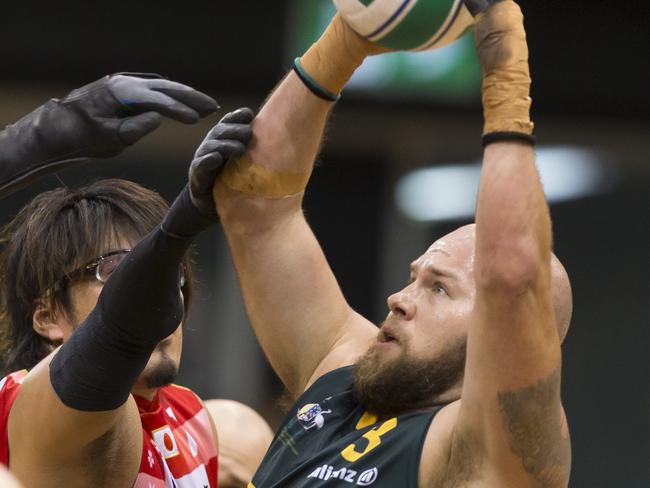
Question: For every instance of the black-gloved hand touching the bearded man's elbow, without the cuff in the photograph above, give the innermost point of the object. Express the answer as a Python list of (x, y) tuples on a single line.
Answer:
[(228, 139)]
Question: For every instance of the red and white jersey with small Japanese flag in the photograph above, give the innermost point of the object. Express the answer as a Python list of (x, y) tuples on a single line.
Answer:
[(178, 449)]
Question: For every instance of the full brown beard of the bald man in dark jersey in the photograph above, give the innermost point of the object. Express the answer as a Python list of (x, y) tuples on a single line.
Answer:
[(388, 387)]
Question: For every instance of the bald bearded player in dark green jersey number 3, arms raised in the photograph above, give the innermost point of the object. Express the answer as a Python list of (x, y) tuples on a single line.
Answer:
[(461, 386)]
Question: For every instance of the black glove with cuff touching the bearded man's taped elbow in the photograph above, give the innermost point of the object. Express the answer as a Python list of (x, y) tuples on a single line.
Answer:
[(194, 209)]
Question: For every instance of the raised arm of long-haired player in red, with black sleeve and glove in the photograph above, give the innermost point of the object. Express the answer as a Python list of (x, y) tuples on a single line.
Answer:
[(74, 409)]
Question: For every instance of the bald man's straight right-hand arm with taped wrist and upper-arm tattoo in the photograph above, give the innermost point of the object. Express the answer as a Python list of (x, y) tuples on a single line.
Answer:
[(511, 408)]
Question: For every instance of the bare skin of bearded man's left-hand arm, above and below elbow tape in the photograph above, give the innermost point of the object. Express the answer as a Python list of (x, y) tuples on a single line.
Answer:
[(292, 298)]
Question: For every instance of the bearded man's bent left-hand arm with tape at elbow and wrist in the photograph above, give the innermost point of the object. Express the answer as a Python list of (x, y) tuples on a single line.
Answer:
[(296, 307)]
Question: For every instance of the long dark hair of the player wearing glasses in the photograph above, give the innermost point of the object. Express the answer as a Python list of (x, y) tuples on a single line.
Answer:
[(55, 234)]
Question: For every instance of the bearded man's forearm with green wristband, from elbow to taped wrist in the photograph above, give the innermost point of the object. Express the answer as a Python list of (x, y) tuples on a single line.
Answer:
[(289, 128)]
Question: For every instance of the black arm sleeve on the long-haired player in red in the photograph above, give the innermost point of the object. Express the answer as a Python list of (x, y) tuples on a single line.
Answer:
[(139, 306)]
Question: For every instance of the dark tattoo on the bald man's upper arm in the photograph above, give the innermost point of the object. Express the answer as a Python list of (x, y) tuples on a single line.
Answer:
[(537, 430)]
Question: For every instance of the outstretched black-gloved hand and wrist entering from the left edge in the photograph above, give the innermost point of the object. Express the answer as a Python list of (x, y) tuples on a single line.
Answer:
[(97, 120)]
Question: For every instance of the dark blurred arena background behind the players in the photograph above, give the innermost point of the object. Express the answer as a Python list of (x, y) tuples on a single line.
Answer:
[(589, 63)]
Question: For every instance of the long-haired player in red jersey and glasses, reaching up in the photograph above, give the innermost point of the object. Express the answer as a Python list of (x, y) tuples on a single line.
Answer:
[(94, 269)]
